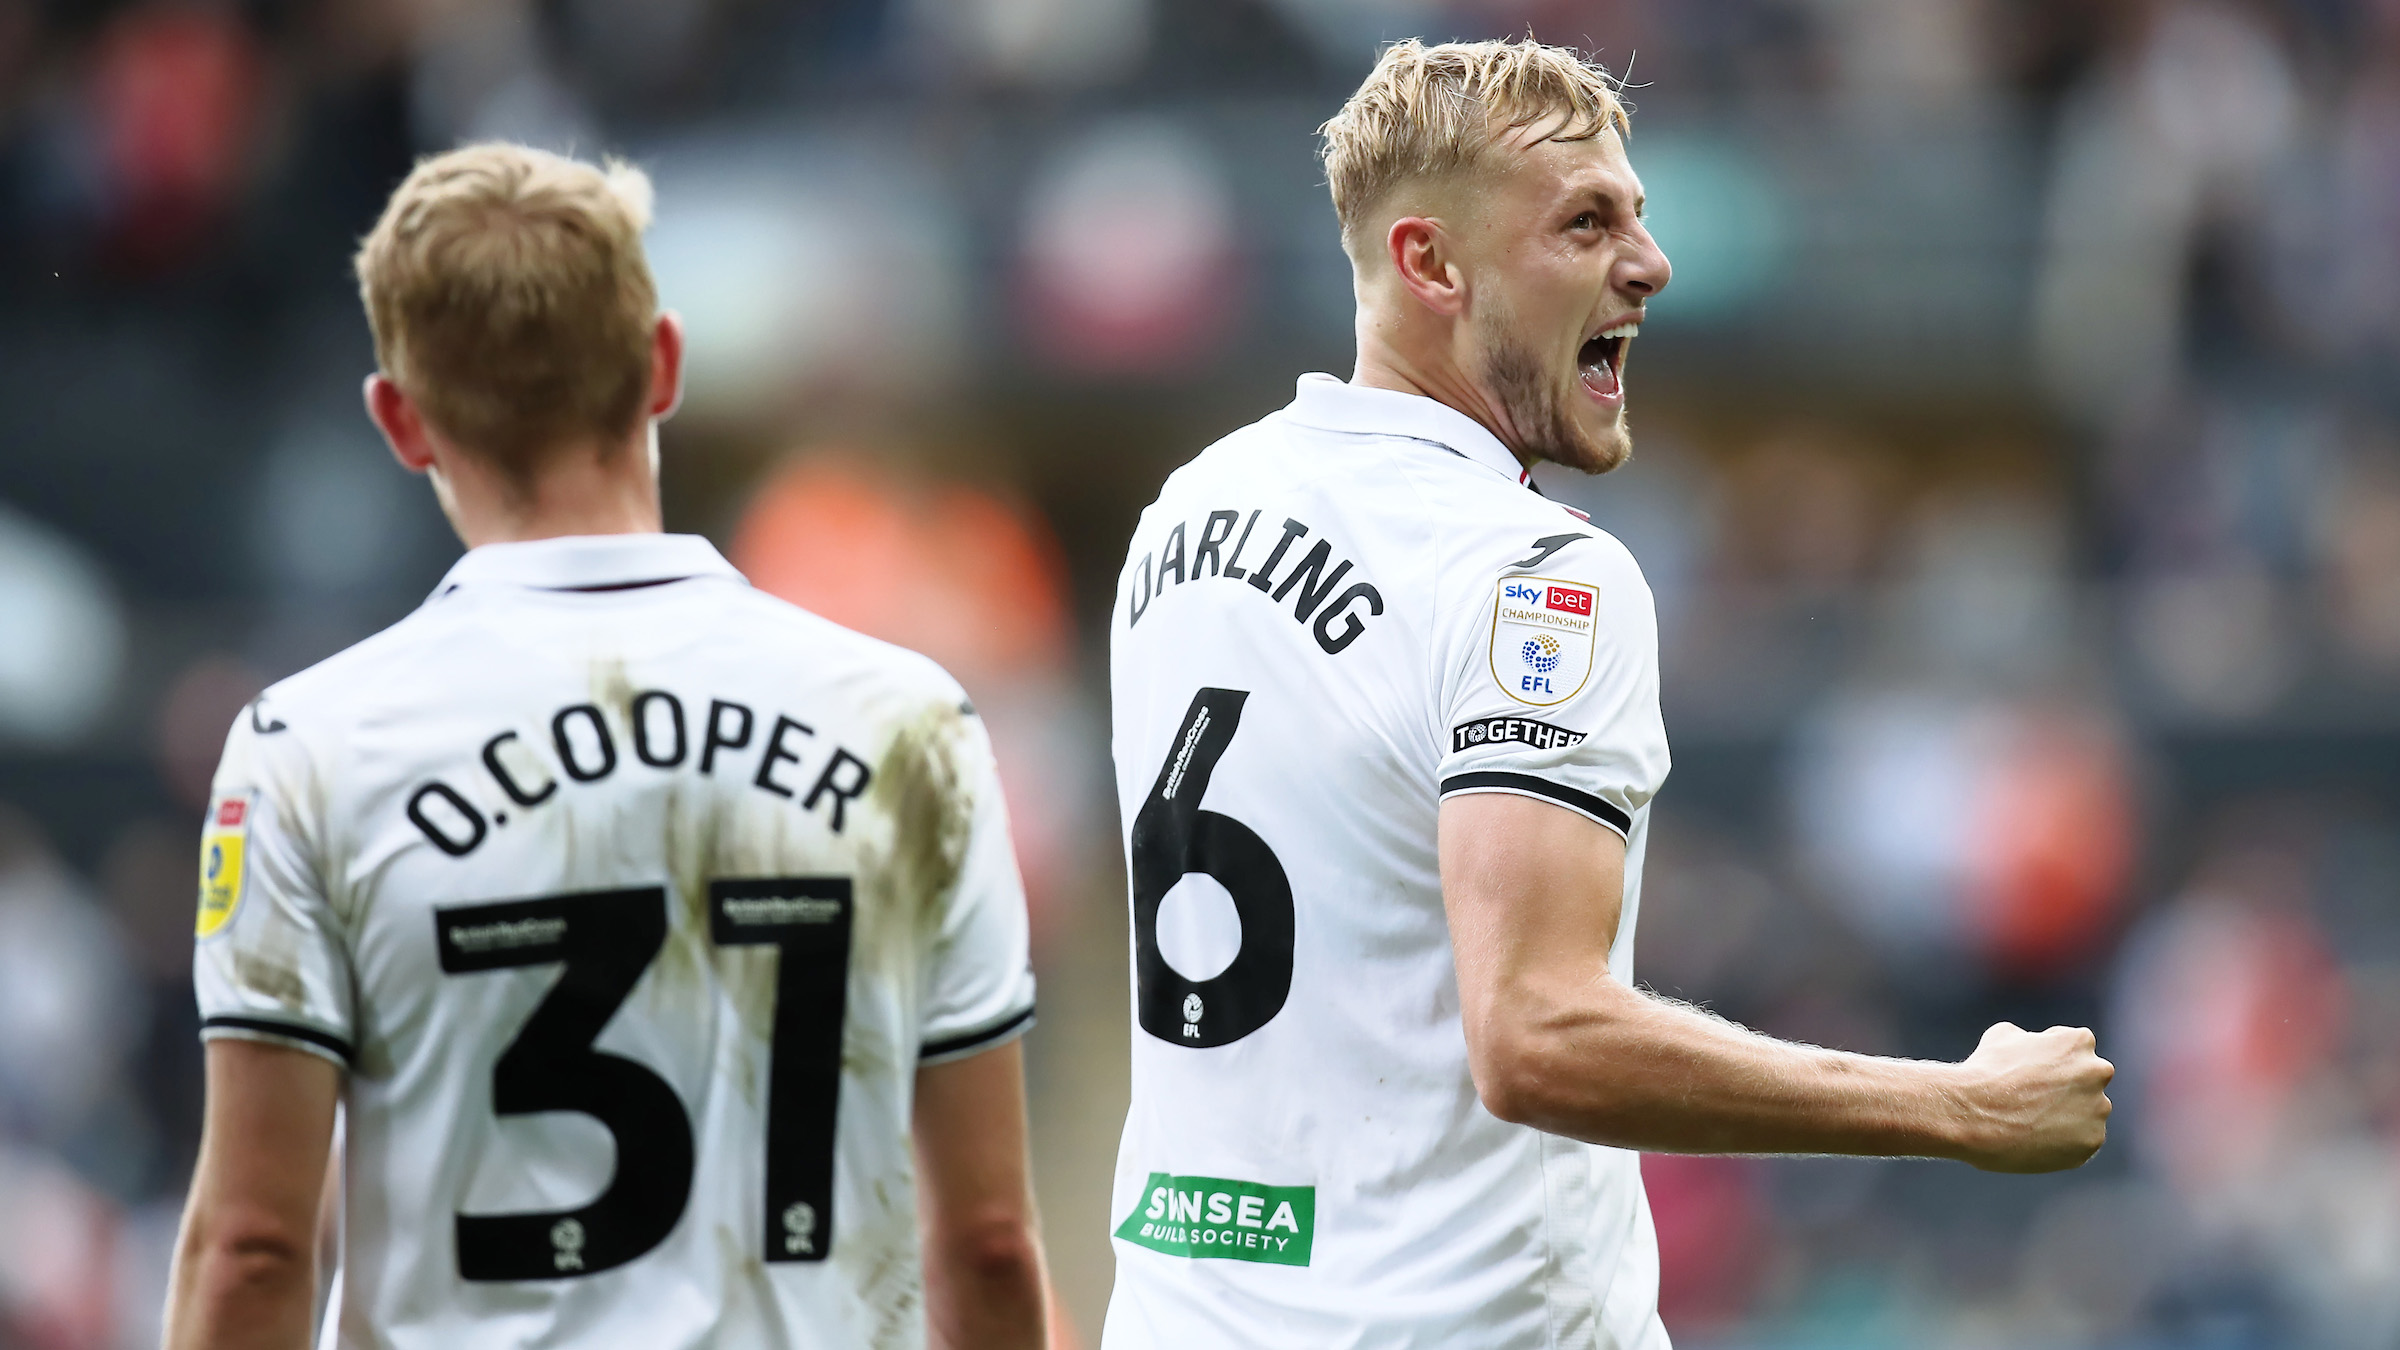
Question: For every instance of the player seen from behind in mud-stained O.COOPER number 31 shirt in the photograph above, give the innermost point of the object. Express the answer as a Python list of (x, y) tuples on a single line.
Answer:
[(659, 940)]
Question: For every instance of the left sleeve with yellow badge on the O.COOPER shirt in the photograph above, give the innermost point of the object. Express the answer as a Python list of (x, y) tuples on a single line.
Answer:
[(270, 957)]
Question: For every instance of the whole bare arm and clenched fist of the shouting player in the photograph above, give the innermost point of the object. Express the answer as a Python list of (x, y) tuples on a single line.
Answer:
[(1559, 1044)]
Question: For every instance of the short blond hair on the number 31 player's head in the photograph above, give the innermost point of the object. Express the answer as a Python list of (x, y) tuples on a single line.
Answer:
[(512, 301)]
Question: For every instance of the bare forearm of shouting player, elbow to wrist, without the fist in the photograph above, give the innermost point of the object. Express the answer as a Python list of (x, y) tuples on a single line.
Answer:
[(1638, 1073)]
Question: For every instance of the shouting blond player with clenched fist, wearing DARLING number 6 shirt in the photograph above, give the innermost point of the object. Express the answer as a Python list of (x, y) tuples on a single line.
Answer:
[(1386, 751)]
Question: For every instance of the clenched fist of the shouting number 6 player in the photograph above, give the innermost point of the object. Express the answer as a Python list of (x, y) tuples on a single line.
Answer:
[(2036, 1101)]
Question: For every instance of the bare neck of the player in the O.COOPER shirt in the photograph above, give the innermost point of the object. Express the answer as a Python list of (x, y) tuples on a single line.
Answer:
[(575, 496)]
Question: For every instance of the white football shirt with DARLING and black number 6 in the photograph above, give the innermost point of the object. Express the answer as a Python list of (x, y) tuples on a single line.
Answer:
[(1328, 623)]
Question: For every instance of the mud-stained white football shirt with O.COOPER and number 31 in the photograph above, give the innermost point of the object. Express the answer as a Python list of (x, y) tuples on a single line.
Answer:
[(630, 900)]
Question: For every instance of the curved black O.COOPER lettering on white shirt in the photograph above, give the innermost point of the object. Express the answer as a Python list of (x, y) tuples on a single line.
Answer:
[(656, 729)]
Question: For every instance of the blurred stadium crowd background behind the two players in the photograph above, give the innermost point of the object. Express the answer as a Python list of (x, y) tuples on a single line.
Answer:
[(2020, 477)]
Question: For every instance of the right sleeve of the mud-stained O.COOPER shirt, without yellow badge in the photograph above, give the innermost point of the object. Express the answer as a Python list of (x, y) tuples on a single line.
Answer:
[(983, 988)]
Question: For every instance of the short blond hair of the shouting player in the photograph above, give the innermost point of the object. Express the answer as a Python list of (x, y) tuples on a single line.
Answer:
[(1439, 112)]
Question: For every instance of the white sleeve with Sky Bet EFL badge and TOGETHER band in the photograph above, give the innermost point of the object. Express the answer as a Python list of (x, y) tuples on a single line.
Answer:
[(1549, 679)]
